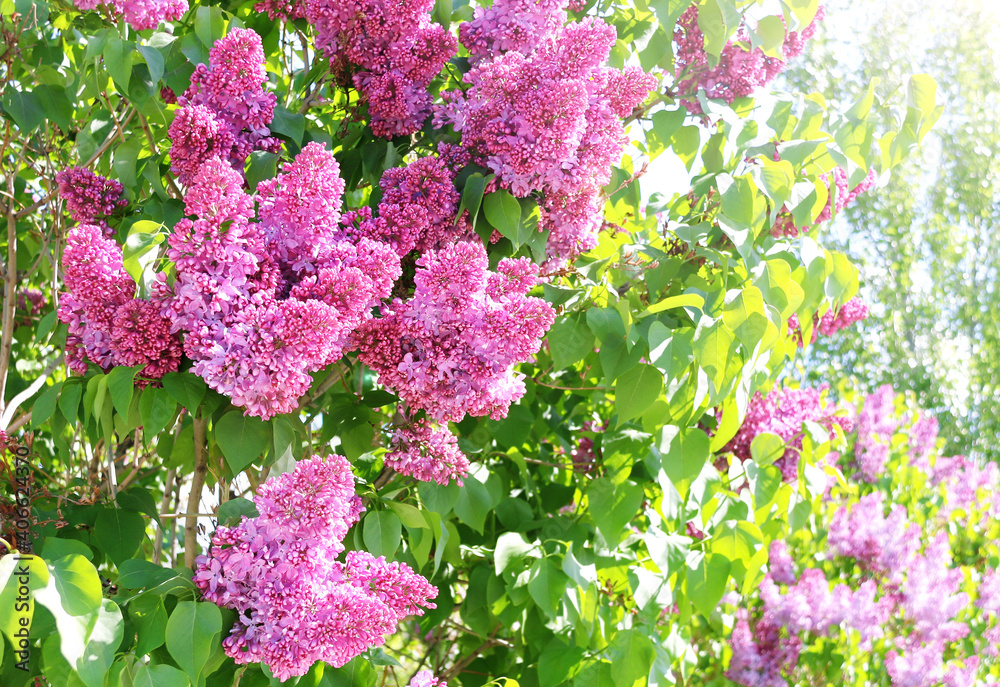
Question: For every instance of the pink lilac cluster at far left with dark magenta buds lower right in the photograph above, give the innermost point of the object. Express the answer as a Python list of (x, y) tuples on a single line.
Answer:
[(107, 325)]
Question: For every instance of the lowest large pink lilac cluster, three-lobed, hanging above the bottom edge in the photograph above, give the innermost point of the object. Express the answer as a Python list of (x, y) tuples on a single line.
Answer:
[(296, 602)]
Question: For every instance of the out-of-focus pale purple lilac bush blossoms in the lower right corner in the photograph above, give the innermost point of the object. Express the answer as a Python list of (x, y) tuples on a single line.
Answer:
[(901, 583)]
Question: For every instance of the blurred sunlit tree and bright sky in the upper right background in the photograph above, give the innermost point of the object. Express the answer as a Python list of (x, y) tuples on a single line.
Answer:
[(926, 243)]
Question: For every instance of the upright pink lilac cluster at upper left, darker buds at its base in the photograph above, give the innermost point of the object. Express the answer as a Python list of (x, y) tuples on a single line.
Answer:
[(225, 112)]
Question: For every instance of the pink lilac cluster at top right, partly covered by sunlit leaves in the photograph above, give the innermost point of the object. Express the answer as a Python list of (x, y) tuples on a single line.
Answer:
[(739, 72)]
